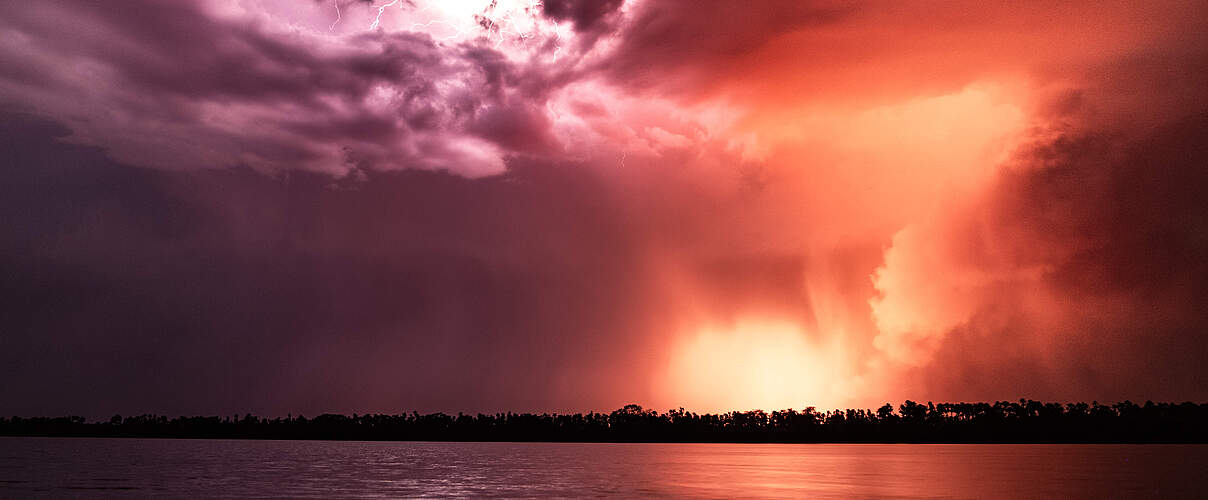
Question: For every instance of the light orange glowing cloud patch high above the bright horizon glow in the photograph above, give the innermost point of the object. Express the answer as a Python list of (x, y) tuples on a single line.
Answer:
[(853, 162)]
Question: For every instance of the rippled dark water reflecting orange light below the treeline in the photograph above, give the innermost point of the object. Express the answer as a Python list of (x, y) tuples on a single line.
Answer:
[(84, 468)]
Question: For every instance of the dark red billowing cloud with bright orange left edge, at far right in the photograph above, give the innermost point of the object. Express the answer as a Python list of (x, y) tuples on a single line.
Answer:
[(1082, 266)]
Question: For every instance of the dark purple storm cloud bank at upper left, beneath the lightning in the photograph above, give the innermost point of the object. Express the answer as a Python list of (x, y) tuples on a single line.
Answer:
[(199, 90)]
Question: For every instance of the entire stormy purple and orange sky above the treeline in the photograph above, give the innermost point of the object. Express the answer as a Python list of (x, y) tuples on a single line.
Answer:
[(277, 207)]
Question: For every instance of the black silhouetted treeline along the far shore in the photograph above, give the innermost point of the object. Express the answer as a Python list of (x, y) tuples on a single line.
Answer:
[(1002, 422)]
